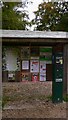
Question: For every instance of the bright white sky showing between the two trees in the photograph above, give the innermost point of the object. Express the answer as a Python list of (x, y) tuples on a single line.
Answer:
[(31, 7)]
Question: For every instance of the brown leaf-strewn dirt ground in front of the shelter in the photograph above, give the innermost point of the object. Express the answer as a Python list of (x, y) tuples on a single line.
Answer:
[(31, 100)]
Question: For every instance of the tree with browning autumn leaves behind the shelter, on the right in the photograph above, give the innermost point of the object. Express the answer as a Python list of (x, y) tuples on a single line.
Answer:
[(50, 16)]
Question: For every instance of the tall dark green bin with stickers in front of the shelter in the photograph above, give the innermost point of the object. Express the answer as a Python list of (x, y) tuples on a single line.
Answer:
[(57, 84)]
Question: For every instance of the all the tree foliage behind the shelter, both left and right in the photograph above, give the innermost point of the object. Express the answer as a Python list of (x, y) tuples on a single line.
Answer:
[(51, 16)]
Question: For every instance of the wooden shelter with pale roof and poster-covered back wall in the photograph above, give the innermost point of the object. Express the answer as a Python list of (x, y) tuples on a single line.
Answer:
[(27, 55)]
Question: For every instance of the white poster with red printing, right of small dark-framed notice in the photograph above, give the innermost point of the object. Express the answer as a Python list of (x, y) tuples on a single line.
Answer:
[(34, 66)]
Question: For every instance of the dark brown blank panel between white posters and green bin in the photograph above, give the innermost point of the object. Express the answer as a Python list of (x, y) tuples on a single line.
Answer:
[(49, 72)]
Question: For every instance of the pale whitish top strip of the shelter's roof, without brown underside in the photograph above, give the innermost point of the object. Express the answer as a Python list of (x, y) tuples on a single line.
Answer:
[(32, 34)]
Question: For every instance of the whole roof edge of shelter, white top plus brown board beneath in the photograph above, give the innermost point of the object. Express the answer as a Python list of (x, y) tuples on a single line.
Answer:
[(33, 36)]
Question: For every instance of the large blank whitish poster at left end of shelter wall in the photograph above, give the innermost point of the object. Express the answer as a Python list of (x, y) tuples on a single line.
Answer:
[(11, 59)]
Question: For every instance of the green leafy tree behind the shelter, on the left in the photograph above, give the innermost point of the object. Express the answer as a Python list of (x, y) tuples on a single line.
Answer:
[(12, 17)]
